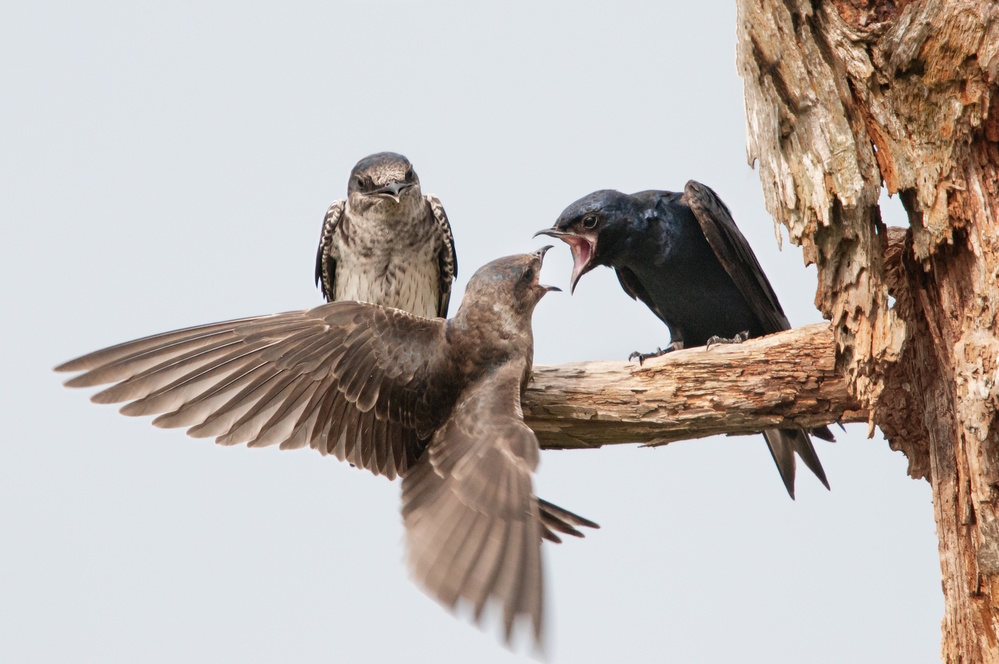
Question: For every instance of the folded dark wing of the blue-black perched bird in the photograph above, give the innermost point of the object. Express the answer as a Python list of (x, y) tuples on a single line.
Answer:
[(735, 255)]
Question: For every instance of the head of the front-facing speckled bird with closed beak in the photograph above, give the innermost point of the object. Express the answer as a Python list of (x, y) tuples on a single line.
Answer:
[(384, 180)]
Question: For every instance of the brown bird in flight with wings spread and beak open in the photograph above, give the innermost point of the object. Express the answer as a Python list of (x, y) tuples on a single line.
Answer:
[(437, 402)]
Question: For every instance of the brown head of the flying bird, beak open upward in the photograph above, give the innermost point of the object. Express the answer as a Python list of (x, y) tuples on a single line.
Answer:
[(510, 283)]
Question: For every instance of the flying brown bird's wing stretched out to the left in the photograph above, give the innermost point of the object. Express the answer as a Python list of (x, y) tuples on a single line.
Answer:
[(350, 379)]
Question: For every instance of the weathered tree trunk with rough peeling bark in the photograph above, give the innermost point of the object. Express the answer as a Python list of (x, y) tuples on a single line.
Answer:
[(840, 96)]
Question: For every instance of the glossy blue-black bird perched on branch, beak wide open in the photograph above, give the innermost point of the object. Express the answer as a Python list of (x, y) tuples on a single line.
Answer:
[(682, 255)]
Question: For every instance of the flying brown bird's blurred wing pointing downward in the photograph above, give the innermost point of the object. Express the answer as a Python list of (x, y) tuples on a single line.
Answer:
[(473, 526)]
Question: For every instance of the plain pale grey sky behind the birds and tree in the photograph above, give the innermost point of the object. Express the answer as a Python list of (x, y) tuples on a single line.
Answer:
[(169, 164)]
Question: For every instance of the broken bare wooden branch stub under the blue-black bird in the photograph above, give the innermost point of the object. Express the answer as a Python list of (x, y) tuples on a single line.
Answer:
[(782, 380)]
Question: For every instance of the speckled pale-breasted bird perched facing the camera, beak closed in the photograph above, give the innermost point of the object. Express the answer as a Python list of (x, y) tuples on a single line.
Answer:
[(387, 243)]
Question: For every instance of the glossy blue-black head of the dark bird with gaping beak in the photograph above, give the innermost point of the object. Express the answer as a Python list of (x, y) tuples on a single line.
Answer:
[(589, 227)]
